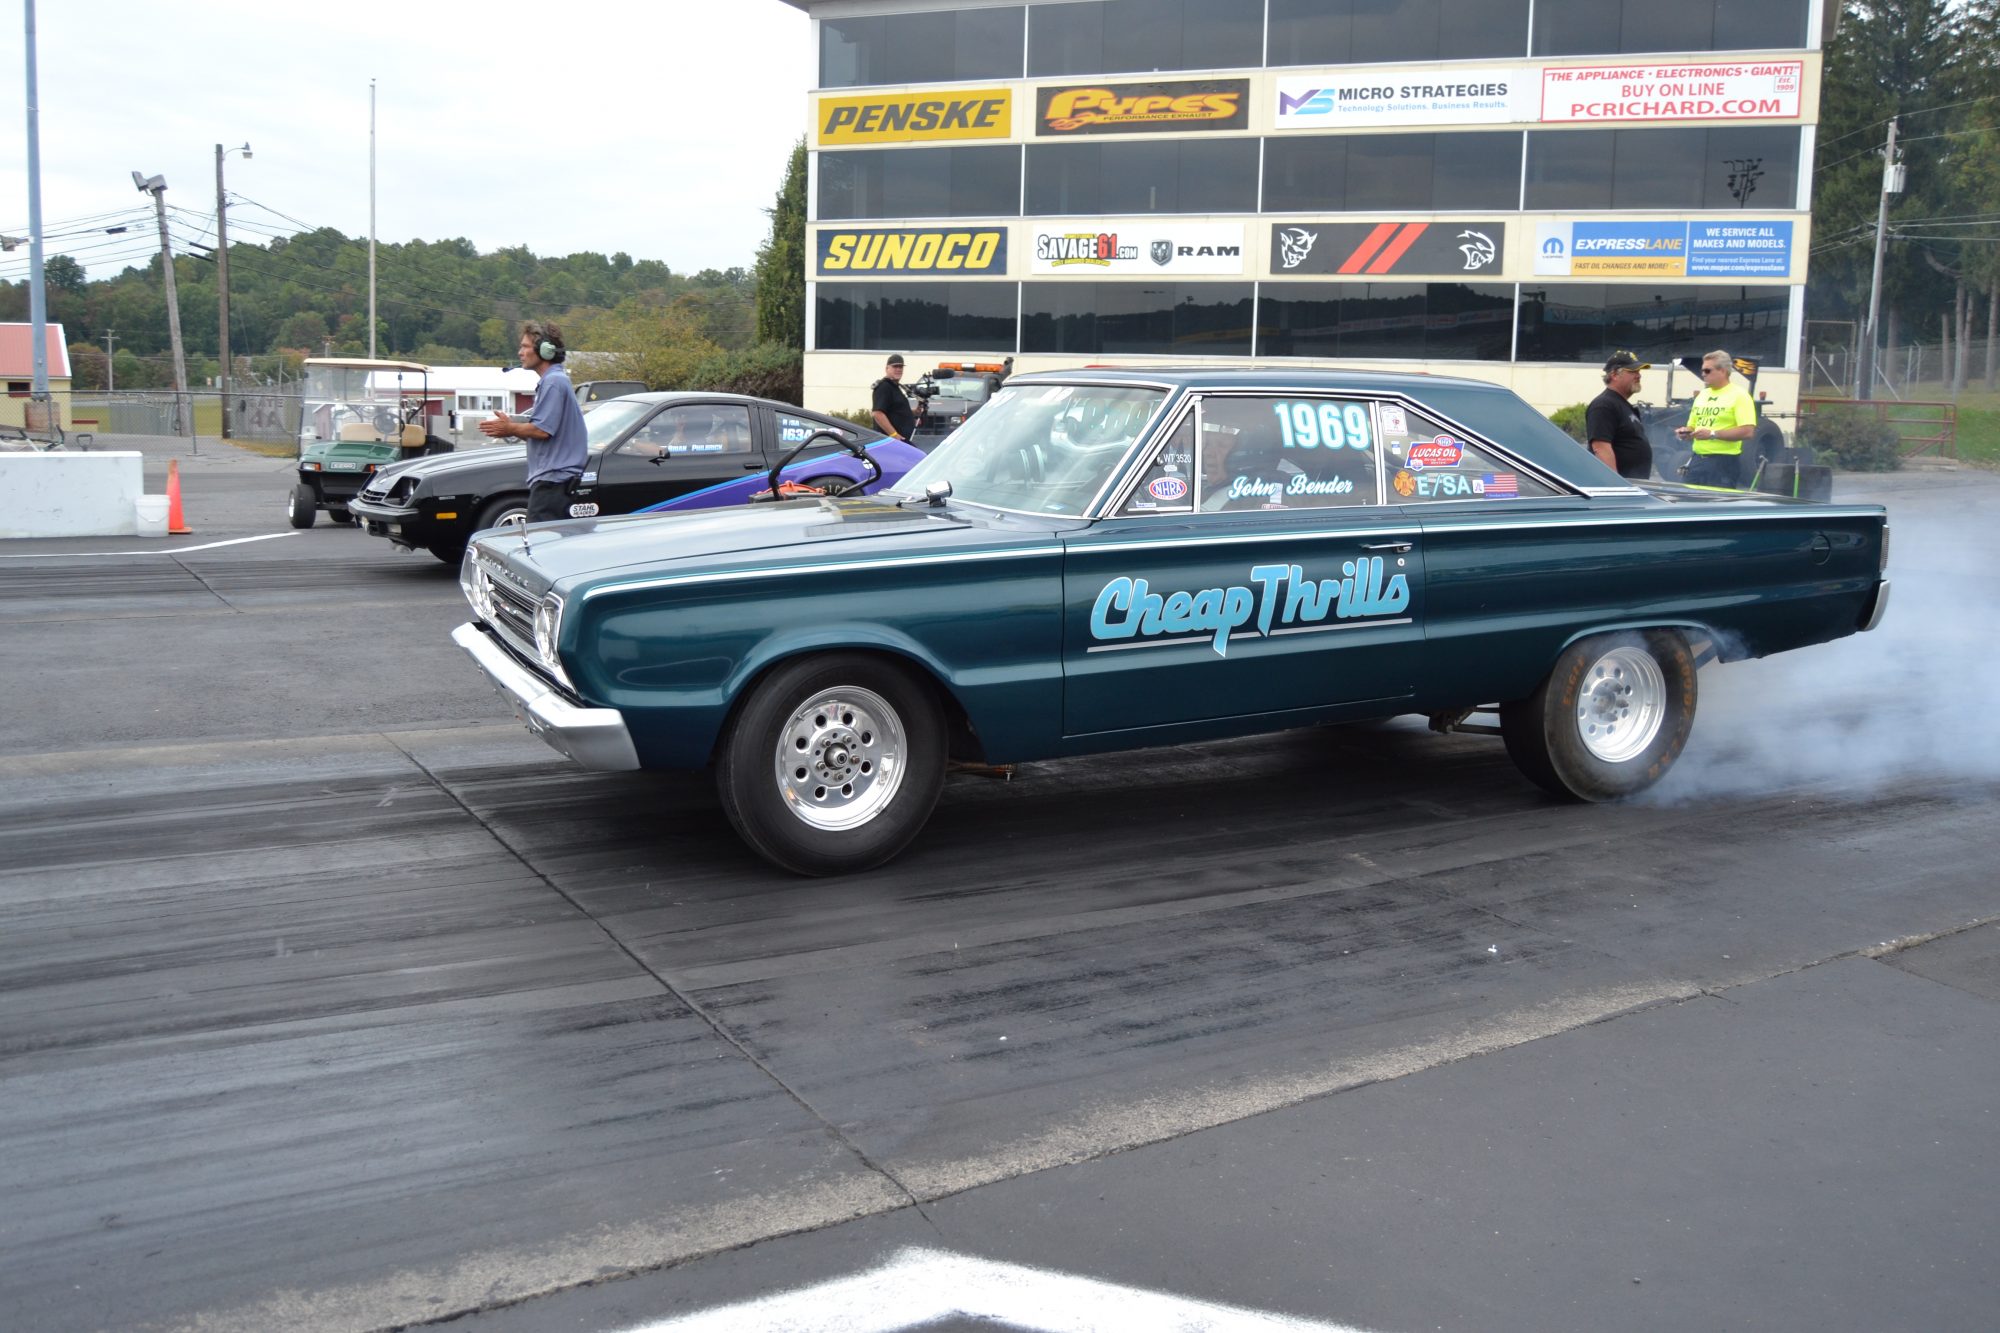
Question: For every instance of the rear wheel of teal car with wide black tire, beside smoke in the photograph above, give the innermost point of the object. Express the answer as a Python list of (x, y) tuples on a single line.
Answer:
[(1611, 720)]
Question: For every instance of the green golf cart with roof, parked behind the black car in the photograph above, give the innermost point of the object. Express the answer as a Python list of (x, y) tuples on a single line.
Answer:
[(359, 419)]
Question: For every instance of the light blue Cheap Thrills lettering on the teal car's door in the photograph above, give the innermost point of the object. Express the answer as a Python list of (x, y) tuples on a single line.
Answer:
[(1279, 597)]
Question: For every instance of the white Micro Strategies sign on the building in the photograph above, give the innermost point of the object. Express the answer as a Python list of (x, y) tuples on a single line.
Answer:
[(1347, 99)]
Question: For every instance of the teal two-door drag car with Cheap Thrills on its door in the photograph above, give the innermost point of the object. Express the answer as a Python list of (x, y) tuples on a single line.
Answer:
[(1119, 559)]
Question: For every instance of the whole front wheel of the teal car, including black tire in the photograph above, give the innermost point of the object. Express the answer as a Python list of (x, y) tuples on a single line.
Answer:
[(833, 764)]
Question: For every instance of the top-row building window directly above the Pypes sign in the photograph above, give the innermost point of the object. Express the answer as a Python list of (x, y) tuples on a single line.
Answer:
[(1127, 37)]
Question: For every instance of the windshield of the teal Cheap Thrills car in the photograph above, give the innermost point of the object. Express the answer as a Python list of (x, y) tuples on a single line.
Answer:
[(1043, 449)]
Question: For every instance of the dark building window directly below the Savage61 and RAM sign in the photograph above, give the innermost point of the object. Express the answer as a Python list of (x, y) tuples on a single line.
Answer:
[(1119, 319)]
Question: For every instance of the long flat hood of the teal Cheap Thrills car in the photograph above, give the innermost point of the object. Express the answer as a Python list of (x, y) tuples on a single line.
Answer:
[(805, 531)]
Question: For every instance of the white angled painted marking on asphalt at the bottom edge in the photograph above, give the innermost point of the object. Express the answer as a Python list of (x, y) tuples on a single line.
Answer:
[(921, 1288)]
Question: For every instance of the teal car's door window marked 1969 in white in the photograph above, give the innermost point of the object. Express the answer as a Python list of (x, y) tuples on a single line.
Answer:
[(1287, 453)]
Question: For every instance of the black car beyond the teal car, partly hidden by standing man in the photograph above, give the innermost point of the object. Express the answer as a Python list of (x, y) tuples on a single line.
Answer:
[(645, 451)]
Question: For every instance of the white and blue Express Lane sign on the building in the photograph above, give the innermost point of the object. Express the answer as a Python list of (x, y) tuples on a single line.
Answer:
[(1709, 249)]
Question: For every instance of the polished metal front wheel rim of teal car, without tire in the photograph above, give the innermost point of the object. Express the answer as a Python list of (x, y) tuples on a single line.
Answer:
[(841, 758)]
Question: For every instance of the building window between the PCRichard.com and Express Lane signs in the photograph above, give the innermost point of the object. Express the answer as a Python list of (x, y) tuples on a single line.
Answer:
[(1729, 167)]
